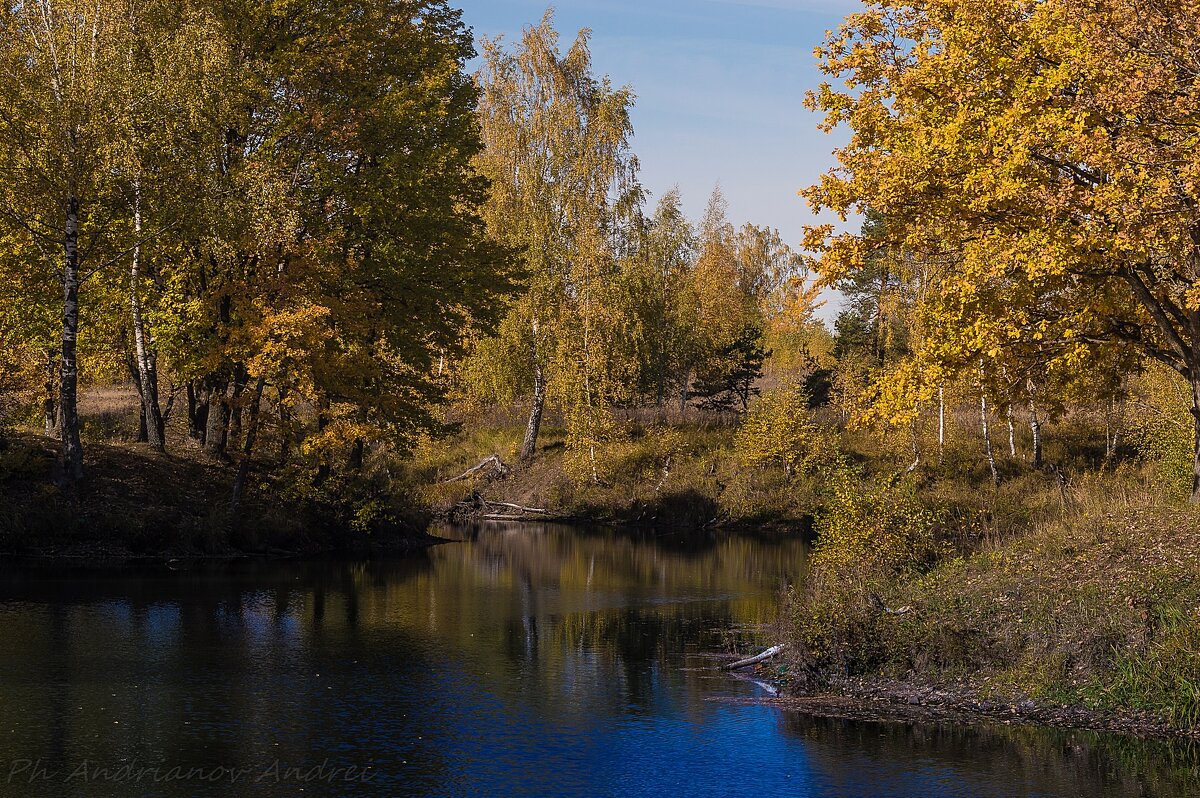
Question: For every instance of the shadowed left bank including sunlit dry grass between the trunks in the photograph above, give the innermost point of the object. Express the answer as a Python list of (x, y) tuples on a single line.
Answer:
[(137, 502)]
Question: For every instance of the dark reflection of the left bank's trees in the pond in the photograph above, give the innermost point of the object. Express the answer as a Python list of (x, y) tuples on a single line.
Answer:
[(202, 668)]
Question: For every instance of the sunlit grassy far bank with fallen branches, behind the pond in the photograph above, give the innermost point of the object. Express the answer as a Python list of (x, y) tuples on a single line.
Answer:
[(674, 473)]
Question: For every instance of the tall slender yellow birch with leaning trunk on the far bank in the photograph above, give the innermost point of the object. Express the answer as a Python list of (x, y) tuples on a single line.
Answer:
[(563, 187)]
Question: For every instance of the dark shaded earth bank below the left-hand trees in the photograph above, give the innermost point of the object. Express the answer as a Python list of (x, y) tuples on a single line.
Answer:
[(137, 505)]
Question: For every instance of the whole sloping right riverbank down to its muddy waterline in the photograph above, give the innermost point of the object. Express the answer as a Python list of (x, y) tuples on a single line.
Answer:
[(1090, 619)]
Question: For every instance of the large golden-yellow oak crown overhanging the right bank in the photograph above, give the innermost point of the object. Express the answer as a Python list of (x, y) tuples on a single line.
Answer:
[(1041, 157)]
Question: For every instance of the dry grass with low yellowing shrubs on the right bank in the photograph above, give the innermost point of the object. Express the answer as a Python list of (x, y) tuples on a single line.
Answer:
[(1084, 595)]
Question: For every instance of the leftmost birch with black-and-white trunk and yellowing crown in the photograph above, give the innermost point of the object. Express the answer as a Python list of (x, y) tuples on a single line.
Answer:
[(59, 110)]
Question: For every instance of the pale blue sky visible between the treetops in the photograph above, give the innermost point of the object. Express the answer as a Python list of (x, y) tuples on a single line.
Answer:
[(721, 93)]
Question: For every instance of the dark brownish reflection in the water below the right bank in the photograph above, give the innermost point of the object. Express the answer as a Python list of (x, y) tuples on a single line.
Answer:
[(993, 760)]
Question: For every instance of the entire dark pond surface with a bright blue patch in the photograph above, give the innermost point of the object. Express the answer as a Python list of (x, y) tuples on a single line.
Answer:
[(527, 662)]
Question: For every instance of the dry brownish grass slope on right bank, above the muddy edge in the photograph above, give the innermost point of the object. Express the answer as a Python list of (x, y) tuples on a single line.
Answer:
[(1101, 607)]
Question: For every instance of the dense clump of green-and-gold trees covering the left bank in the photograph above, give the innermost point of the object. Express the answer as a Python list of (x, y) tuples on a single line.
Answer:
[(259, 199)]
